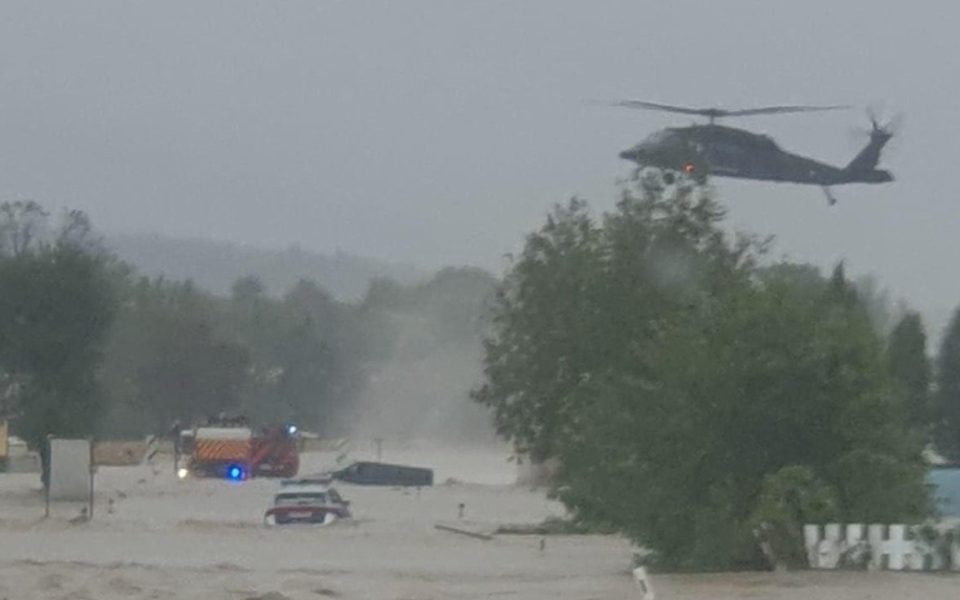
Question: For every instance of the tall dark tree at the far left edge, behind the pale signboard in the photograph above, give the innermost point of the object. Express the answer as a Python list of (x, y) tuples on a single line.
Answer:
[(56, 309)]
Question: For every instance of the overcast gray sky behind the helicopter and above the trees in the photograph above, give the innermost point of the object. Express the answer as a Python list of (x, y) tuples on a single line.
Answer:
[(439, 132)]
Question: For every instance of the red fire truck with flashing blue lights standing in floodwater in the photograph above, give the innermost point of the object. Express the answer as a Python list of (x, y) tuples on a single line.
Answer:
[(237, 453)]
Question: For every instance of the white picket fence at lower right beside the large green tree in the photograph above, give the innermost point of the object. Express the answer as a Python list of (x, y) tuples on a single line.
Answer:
[(893, 547)]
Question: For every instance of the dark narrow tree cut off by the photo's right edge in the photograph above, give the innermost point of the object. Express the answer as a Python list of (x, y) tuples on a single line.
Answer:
[(947, 397)]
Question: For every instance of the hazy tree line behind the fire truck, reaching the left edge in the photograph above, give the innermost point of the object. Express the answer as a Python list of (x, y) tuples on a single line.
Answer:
[(89, 347)]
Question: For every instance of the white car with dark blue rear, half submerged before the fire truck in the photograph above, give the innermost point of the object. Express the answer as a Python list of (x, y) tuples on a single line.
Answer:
[(307, 501)]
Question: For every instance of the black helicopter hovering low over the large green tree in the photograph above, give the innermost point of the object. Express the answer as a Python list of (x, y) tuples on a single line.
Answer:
[(698, 151)]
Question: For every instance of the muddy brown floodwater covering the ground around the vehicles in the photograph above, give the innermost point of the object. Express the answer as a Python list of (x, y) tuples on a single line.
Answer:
[(164, 538)]
